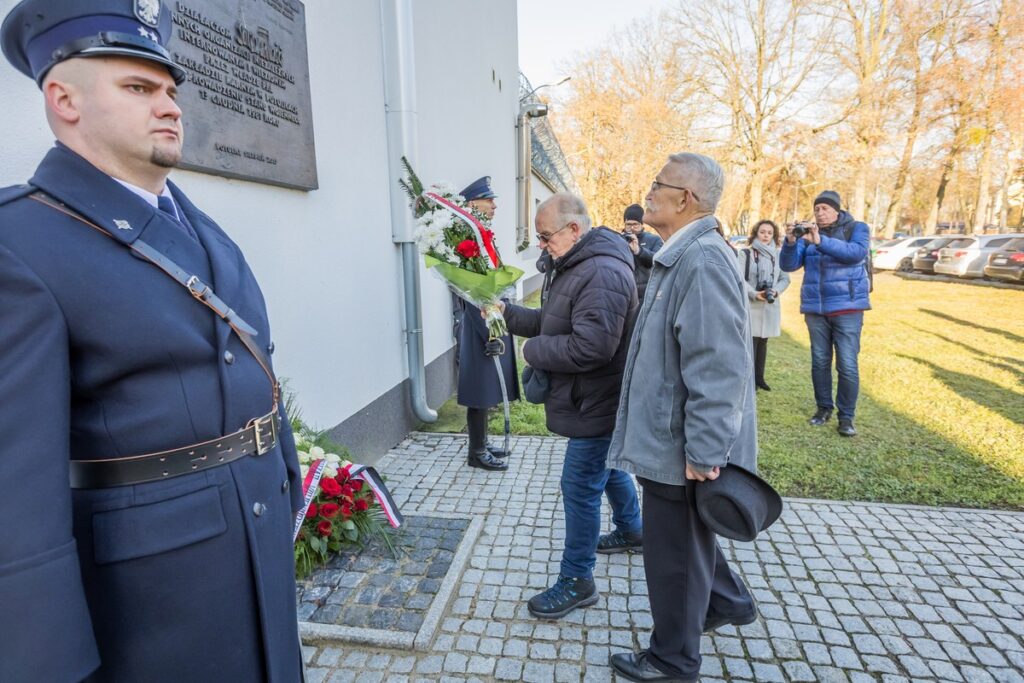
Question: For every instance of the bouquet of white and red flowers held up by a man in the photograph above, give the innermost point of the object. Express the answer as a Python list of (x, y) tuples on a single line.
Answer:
[(458, 244)]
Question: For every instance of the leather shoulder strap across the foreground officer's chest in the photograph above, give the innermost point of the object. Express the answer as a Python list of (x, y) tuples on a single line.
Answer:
[(200, 290)]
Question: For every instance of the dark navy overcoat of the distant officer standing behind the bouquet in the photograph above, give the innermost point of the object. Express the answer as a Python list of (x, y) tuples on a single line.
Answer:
[(479, 385)]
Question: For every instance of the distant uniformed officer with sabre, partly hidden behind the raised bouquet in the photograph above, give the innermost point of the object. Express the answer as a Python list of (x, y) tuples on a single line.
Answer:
[(480, 389)]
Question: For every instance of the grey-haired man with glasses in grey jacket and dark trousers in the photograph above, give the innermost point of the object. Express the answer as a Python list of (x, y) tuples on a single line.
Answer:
[(695, 333)]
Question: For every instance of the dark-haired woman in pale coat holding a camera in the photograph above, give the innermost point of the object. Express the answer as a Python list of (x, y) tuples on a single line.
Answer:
[(765, 284)]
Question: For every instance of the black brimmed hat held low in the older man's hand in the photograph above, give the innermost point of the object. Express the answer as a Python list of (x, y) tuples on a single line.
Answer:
[(739, 504)]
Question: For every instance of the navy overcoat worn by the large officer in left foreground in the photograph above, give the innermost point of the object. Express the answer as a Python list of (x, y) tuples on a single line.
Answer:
[(104, 356)]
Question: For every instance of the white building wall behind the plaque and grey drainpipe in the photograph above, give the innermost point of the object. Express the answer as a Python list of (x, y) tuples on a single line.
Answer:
[(325, 260)]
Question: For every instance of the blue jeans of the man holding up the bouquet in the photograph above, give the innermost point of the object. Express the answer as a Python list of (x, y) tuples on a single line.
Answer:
[(585, 478)]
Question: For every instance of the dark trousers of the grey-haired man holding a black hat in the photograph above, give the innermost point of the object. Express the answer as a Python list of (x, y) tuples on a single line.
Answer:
[(688, 578)]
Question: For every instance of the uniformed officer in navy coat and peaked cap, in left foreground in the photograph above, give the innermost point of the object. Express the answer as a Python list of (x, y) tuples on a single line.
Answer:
[(148, 477)]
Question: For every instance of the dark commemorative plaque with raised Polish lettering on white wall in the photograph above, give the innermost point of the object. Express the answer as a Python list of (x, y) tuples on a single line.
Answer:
[(247, 105)]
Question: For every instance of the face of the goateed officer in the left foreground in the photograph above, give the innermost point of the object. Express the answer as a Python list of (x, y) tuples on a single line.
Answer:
[(131, 114)]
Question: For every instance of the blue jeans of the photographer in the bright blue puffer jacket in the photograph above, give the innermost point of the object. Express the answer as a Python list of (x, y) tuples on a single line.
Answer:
[(843, 334)]
